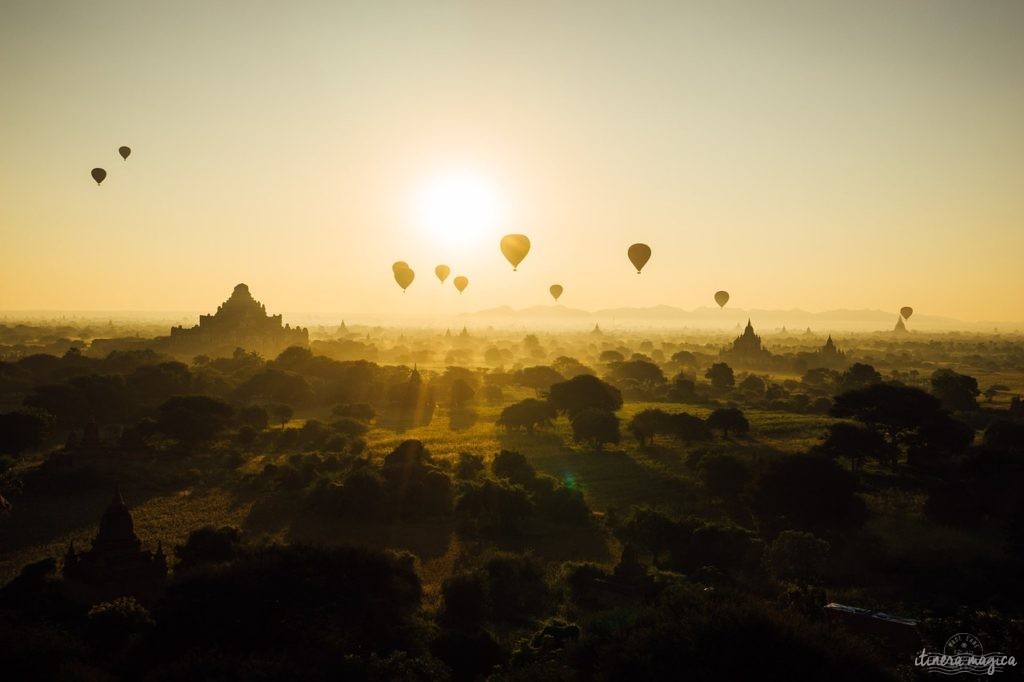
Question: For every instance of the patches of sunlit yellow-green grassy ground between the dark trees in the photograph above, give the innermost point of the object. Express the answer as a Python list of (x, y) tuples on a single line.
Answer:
[(170, 498)]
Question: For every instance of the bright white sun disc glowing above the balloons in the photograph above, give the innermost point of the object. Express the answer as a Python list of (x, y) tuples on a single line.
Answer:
[(460, 208)]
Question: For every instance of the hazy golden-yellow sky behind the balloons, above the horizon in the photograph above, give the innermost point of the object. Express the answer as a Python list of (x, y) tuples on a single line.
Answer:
[(815, 155)]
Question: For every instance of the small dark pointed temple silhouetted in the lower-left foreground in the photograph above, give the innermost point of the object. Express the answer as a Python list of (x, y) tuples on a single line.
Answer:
[(116, 566)]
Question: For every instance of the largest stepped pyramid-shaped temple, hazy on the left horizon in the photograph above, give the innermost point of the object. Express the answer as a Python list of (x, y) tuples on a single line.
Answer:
[(241, 322)]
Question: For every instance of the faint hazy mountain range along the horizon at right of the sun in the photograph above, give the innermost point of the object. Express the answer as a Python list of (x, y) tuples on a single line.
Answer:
[(729, 318)]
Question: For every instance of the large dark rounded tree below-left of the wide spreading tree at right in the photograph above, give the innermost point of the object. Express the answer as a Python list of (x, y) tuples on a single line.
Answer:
[(807, 493)]
